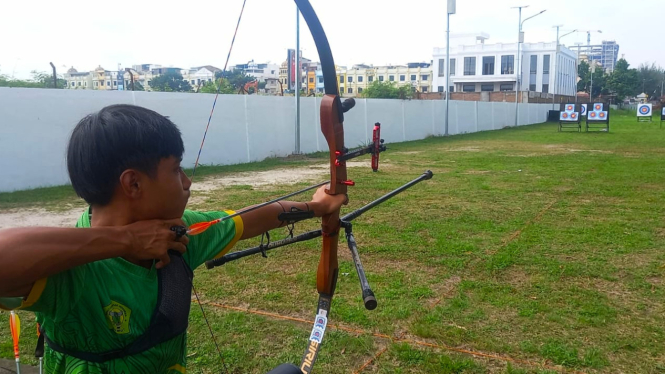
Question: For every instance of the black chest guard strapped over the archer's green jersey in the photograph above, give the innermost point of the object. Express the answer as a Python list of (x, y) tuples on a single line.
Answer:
[(169, 319)]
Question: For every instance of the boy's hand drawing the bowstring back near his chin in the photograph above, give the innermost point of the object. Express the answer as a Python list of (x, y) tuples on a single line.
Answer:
[(150, 240)]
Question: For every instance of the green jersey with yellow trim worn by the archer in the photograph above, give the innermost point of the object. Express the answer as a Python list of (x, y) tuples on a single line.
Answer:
[(106, 305)]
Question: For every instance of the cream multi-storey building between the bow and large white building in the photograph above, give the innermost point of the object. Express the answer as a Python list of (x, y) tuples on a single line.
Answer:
[(353, 81)]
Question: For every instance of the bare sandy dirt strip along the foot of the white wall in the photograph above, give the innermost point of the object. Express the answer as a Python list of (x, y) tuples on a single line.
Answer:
[(68, 218)]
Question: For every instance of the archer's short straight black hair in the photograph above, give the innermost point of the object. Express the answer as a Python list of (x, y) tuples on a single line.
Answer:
[(119, 137)]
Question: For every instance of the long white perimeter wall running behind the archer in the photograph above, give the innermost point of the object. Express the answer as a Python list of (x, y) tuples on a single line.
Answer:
[(35, 125)]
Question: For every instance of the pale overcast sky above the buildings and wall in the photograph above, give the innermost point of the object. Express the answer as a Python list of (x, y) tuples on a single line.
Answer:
[(85, 34)]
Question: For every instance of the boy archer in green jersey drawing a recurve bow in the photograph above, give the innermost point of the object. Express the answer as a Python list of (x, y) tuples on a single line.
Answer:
[(105, 298)]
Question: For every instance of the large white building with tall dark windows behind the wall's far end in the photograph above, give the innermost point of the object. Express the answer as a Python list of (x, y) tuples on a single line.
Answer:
[(476, 66)]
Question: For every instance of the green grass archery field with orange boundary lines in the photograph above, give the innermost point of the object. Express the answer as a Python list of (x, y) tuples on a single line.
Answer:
[(542, 251)]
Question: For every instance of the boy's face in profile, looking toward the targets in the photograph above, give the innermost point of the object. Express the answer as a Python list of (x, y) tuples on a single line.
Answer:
[(165, 197)]
